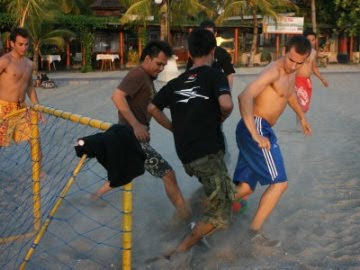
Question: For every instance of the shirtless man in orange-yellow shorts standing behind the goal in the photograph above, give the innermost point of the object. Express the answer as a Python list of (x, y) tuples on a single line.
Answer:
[(15, 83)]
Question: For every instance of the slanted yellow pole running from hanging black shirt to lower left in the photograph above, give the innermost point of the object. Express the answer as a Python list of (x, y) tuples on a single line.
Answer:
[(53, 212)]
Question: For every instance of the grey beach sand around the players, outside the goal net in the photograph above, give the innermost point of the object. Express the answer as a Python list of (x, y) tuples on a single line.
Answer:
[(318, 218)]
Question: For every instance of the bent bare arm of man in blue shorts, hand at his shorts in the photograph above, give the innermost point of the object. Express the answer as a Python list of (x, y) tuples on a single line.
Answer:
[(247, 98)]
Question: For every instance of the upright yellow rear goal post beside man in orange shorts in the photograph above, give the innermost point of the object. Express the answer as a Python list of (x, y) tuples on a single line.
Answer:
[(36, 168)]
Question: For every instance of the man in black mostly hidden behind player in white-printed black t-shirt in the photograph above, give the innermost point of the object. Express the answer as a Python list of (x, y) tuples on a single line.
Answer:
[(222, 59)]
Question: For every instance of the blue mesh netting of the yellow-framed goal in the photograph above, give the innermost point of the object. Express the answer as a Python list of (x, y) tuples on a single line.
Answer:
[(81, 234)]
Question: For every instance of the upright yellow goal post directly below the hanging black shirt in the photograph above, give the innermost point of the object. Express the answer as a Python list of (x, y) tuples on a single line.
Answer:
[(127, 227)]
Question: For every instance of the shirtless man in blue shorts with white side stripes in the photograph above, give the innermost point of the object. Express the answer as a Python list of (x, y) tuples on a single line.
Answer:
[(261, 104)]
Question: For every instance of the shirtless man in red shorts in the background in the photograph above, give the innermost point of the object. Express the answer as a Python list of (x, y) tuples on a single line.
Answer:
[(303, 84)]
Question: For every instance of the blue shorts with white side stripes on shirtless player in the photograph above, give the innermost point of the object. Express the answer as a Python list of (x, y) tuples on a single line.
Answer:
[(254, 163)]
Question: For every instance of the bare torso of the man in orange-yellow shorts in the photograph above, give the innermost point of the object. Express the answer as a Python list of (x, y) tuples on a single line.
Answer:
[(15, 75)]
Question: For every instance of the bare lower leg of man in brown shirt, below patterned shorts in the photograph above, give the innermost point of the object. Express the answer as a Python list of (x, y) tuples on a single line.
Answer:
[(174, 194)]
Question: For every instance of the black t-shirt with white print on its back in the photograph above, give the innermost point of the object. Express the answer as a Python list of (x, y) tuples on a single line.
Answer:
[(195, 111)]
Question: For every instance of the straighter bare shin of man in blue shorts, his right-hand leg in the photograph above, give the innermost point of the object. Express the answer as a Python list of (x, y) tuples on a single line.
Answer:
[(267, 203)]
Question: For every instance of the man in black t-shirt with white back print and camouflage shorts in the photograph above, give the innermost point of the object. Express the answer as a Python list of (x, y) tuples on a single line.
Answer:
[(199, 101)]
